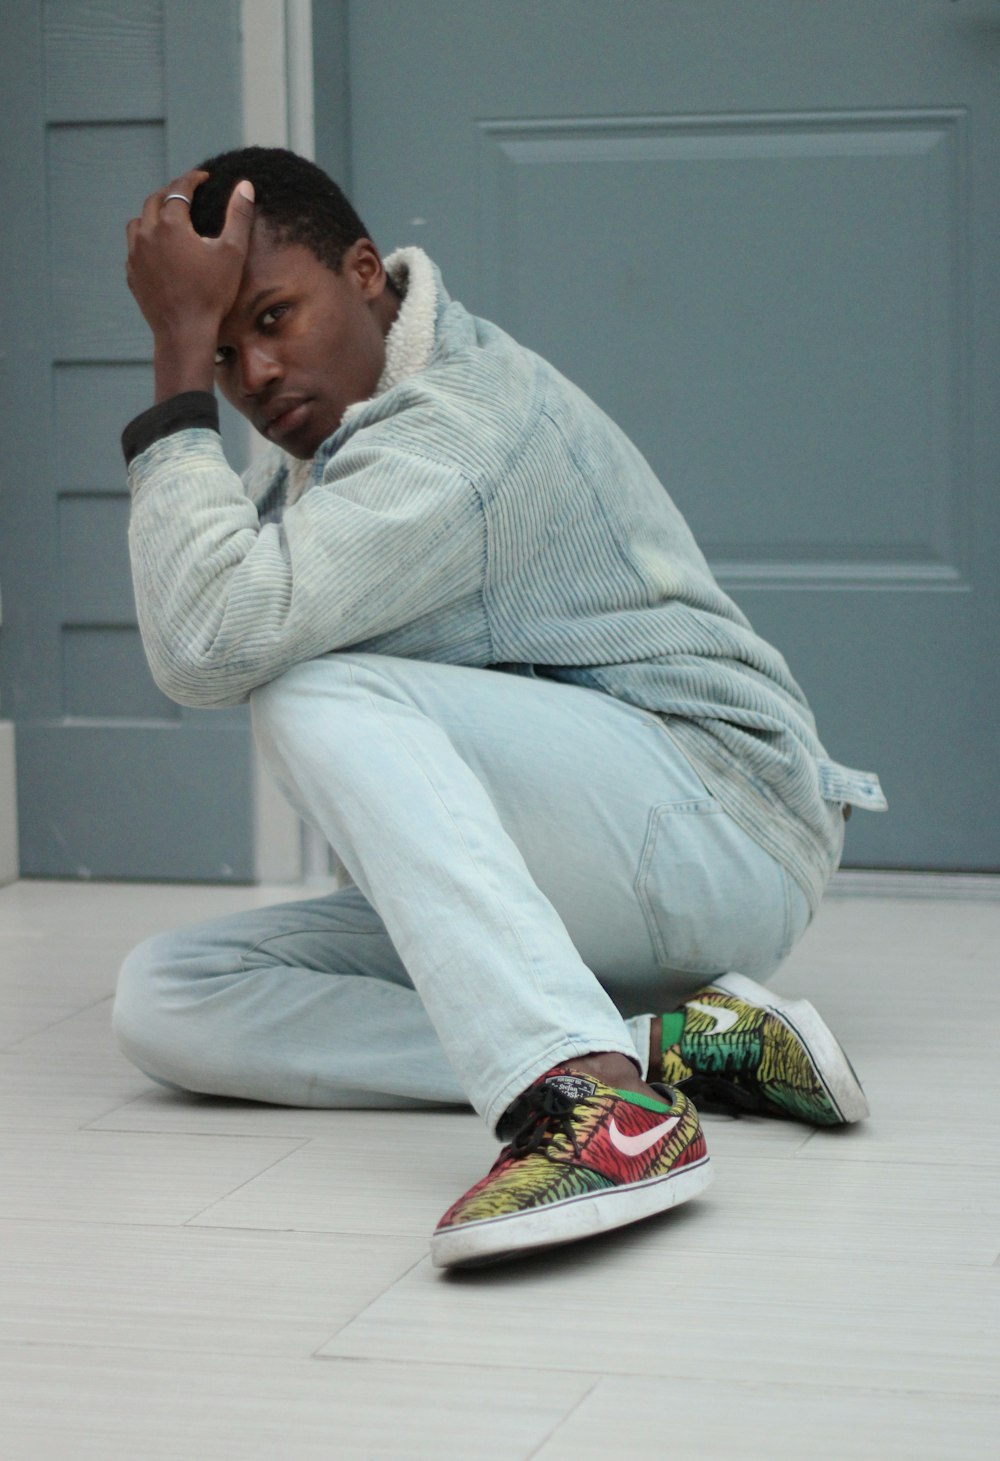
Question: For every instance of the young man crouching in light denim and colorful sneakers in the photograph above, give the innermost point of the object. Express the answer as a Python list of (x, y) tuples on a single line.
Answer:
[(486, 660)]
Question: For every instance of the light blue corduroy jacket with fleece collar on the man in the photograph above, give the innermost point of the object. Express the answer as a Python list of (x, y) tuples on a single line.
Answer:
[(480, 511)]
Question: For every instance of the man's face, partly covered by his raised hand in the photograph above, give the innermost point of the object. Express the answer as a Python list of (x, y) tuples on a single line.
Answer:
[(302, 344)]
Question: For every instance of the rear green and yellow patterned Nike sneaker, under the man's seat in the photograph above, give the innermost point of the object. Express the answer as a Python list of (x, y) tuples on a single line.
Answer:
[(738, 1047)]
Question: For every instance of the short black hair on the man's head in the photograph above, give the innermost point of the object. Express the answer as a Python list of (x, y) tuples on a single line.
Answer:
[(299, 202)]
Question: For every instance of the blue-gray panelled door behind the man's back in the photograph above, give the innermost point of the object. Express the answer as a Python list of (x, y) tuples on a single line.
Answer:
[(765, 239)]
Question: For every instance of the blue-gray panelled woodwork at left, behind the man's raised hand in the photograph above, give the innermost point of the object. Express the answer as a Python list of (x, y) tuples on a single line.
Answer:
[(102, 104)]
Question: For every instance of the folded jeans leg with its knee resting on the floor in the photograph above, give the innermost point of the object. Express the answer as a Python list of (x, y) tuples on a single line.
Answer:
[(303, 1004)]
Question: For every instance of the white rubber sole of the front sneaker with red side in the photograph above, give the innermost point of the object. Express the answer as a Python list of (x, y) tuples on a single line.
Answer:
[(567, 1222)]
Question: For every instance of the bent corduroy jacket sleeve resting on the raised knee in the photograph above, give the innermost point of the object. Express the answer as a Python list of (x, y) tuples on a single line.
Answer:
[(227, 604)]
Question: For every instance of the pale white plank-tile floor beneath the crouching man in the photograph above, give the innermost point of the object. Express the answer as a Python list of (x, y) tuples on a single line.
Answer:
[(195, 1279)]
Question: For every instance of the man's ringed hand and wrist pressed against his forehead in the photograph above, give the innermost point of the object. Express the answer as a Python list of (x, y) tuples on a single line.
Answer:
[(185, 284)]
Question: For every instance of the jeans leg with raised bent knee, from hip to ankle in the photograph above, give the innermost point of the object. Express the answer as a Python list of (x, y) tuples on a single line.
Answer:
[(502, 829)]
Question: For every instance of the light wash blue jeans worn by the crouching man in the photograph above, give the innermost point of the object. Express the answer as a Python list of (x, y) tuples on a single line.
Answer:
[(536, 870)]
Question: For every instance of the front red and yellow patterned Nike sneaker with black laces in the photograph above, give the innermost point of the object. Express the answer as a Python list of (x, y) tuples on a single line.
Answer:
[(584, 1158)]
